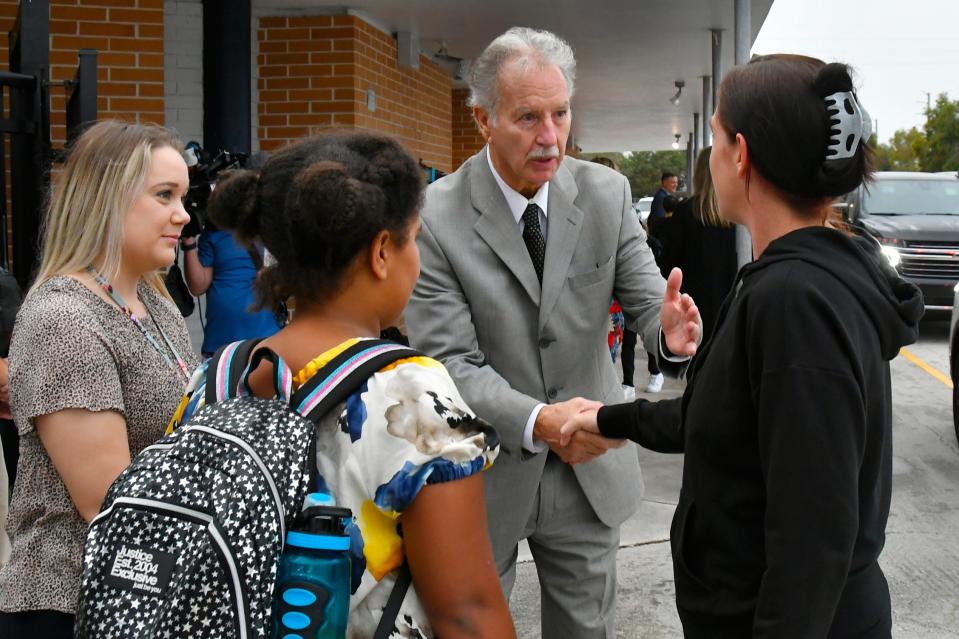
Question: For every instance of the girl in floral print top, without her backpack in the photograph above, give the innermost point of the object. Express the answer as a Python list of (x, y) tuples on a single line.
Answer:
[(339, 214)]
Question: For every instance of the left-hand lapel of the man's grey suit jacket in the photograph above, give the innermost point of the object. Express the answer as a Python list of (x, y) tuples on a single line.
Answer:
[(498, 228)]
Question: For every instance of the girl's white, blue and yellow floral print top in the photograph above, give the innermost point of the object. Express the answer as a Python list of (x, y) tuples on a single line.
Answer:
[(405, 428)]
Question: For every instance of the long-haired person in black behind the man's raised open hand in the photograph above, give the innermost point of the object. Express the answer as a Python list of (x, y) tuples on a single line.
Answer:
[(701, 243)]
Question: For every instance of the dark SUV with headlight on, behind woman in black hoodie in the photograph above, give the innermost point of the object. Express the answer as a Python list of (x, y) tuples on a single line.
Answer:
[(915, 217)]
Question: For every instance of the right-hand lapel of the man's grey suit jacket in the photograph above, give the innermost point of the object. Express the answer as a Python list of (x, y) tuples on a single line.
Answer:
[(565, 221)]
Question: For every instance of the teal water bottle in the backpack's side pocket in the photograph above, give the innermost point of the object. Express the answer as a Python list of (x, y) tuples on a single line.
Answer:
[(312, 599)]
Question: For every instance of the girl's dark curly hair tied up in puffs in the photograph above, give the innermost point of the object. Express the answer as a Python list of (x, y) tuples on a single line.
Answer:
[(316, 205)]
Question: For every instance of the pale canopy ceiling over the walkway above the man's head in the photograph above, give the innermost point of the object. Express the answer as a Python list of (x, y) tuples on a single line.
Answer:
[(629, 52)]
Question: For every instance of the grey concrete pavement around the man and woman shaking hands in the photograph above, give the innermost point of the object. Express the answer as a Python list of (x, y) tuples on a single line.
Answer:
[(921, 558)]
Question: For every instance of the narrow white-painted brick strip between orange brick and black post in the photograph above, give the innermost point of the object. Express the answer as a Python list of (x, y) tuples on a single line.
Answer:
[(183, 68)]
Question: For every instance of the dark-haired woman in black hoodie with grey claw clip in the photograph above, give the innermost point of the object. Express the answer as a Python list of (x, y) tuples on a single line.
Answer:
[(786, 418)]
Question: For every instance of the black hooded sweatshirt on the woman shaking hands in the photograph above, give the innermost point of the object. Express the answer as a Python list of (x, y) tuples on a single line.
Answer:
[(786, 425)]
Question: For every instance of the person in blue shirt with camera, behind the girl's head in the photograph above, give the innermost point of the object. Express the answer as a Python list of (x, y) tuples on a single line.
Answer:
[(216, 264)]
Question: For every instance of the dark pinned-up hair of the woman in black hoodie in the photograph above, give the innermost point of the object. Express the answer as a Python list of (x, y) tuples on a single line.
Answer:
[(777, 102)]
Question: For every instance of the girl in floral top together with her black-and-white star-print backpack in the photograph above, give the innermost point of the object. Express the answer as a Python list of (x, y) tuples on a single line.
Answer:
[(338, 214)]
